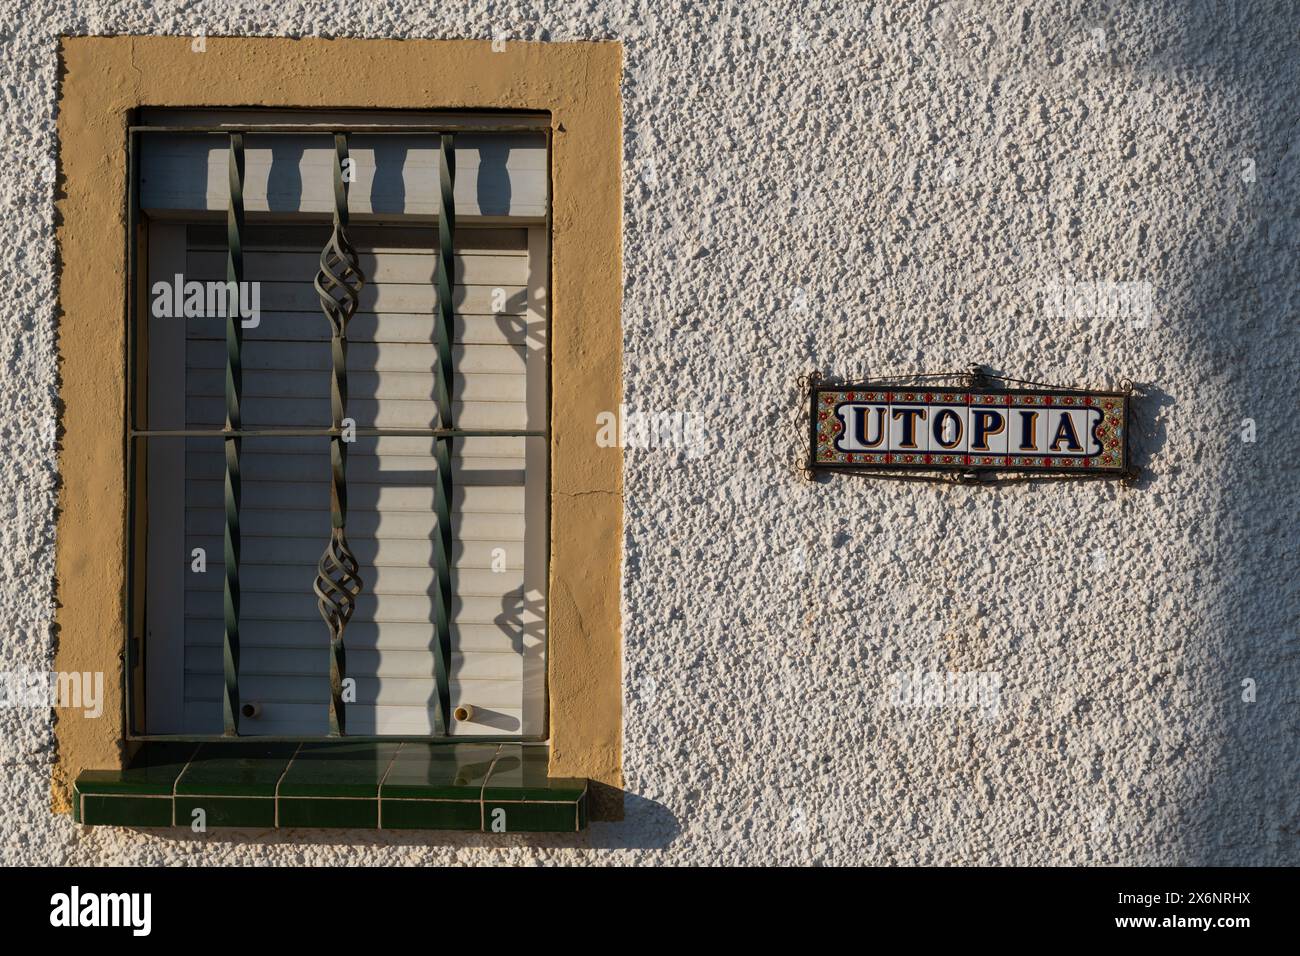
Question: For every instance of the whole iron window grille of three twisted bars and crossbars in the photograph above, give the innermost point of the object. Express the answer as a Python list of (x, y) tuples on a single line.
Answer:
[(339, 287)]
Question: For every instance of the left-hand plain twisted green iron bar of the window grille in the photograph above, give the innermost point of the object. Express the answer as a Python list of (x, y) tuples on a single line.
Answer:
[(235, 387)]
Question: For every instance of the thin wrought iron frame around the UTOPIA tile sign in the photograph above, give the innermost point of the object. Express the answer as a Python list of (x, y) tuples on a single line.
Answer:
[(965, 471)]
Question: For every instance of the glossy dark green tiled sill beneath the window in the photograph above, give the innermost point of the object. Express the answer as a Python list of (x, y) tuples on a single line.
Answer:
[(336, 785)]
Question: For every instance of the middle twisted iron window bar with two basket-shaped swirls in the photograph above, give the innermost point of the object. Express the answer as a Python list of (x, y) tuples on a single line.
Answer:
[(339, 284)]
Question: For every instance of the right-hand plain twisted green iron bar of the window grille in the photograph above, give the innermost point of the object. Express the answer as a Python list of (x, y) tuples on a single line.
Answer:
[(443, 495)]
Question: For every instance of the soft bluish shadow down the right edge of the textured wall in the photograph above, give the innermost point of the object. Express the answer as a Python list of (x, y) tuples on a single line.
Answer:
[(1236, 319)]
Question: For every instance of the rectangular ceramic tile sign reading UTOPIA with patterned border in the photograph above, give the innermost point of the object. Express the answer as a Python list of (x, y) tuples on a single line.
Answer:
[(874, 429)]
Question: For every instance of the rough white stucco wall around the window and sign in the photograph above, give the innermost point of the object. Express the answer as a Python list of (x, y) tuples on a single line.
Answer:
[(860, 189)]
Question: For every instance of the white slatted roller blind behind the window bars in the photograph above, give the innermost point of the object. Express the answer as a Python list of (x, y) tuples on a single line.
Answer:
[(499, 504)]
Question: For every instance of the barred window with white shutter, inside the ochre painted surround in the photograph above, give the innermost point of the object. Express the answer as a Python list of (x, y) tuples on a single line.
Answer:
[(330, 540)]
